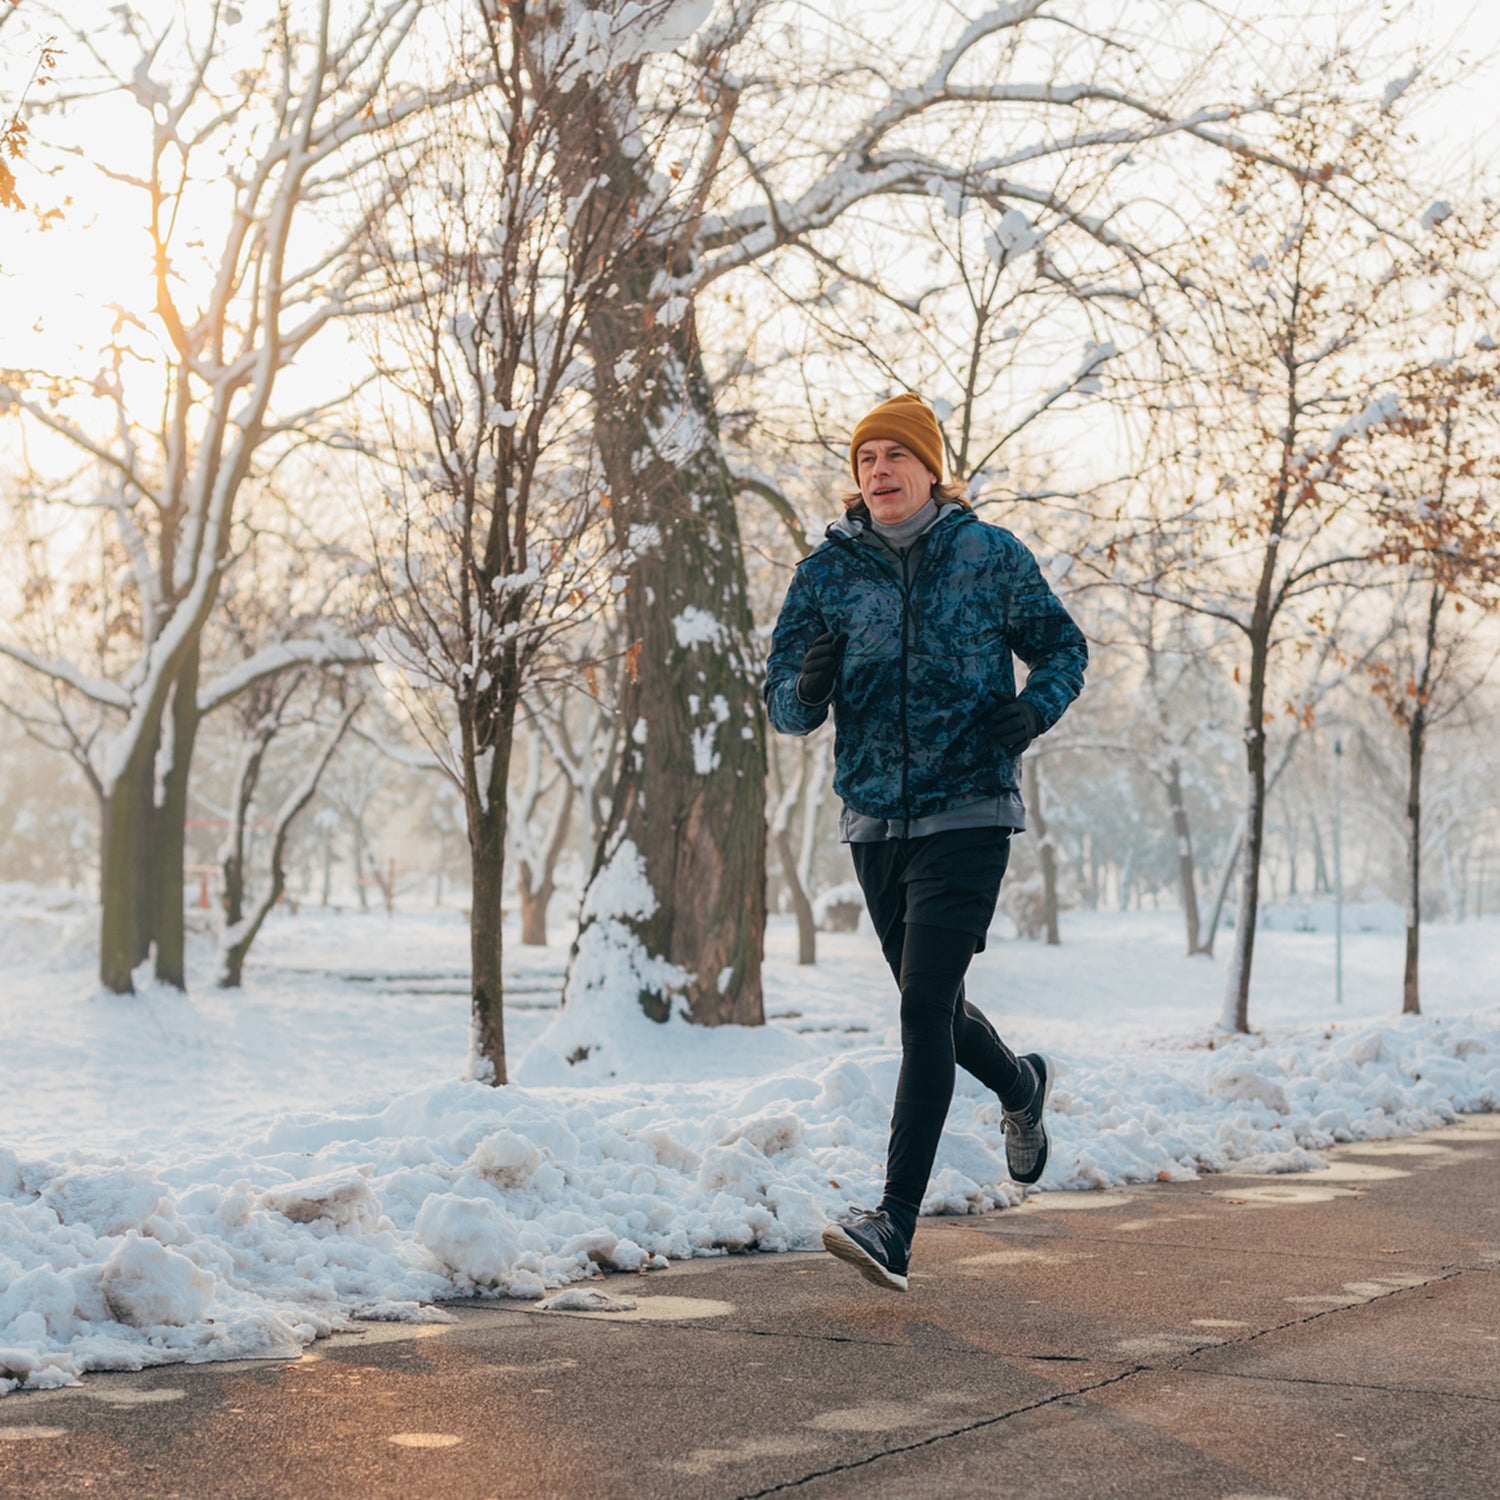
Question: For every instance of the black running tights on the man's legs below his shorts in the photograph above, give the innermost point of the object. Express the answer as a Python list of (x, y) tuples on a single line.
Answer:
[(940, 1030)]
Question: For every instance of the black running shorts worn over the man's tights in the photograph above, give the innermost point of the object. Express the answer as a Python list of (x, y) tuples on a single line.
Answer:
[(949, 880)]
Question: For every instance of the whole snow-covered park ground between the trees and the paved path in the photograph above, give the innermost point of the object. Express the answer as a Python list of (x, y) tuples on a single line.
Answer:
[(233, 1175)]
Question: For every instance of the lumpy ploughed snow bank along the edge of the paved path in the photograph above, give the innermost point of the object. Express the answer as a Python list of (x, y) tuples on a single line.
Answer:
[(458, 1189)]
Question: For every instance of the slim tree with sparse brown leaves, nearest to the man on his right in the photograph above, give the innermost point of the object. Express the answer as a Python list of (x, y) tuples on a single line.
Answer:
[(1306, 272)]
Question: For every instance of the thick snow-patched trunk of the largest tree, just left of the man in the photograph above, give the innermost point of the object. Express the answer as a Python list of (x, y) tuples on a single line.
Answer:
[(691, 785)]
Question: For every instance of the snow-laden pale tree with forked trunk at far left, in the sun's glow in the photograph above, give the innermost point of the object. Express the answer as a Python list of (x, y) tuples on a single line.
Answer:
[(253, 140)]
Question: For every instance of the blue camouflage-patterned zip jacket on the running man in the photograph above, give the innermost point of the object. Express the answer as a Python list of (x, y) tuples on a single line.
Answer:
[(929, 661)]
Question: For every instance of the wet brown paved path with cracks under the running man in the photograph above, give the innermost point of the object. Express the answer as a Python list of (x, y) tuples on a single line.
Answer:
[(1235, 1337)]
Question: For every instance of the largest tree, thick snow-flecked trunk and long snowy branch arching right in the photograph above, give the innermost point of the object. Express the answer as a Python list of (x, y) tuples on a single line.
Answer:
[(731, 163)]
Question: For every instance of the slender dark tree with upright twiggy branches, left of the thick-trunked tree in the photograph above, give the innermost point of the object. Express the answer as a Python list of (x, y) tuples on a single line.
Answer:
[(491, 541)]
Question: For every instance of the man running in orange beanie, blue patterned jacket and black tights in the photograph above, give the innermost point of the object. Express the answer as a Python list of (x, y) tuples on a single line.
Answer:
[(904, 622)]
